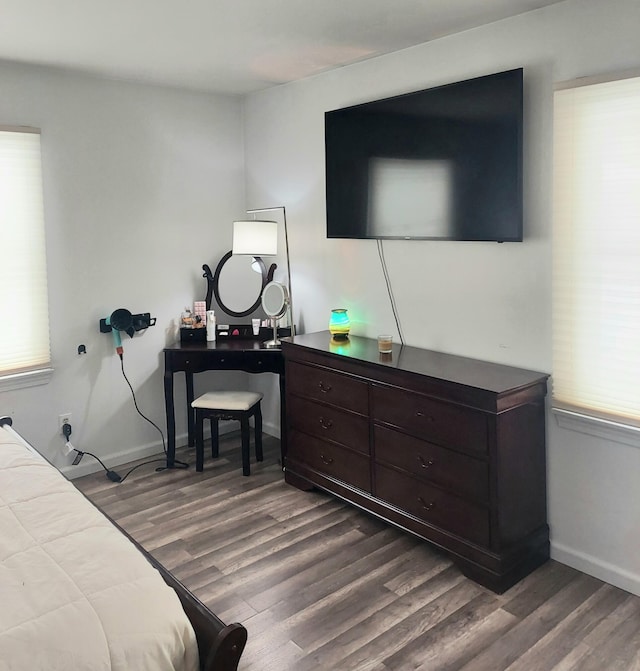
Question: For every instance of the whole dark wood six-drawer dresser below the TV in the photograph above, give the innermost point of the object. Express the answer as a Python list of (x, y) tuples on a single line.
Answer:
[(448, 448)]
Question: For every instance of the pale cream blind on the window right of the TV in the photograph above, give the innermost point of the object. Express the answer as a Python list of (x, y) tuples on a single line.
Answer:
[(596, 250)]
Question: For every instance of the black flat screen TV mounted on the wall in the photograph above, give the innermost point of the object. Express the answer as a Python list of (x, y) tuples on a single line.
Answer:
[(440, 164)]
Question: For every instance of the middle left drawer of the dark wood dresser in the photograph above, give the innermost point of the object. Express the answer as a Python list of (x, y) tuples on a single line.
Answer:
[(329, 423)]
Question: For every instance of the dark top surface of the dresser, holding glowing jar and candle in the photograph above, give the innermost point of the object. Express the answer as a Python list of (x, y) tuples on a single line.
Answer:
[(496, 378)]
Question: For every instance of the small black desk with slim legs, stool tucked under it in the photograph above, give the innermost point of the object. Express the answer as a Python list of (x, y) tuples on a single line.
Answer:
[(233, 353)]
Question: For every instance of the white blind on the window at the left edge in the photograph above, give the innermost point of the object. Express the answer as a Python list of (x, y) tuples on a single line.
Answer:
[(24, 313)]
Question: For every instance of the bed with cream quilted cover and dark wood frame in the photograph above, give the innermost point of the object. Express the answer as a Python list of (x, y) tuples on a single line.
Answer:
[(77, 592)]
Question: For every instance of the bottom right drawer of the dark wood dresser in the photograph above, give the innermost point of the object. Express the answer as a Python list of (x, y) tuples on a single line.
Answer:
[(433, 505)]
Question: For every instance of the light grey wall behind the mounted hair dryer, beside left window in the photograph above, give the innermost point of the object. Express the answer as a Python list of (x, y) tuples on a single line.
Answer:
[(140, 186)]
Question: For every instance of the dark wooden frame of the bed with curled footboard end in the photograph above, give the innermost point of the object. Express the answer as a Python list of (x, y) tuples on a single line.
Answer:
[(220, 645)]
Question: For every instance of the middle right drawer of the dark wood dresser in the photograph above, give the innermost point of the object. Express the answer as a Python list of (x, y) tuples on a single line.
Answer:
[(467, 476)]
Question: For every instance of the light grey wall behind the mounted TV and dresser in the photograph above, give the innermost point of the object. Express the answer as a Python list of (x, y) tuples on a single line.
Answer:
[(482, 300)]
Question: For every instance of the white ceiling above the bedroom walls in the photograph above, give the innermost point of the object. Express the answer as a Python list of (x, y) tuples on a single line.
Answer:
[(230, 46)]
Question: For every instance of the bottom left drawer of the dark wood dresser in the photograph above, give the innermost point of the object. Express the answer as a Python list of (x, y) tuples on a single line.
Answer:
[(329, 459)]
